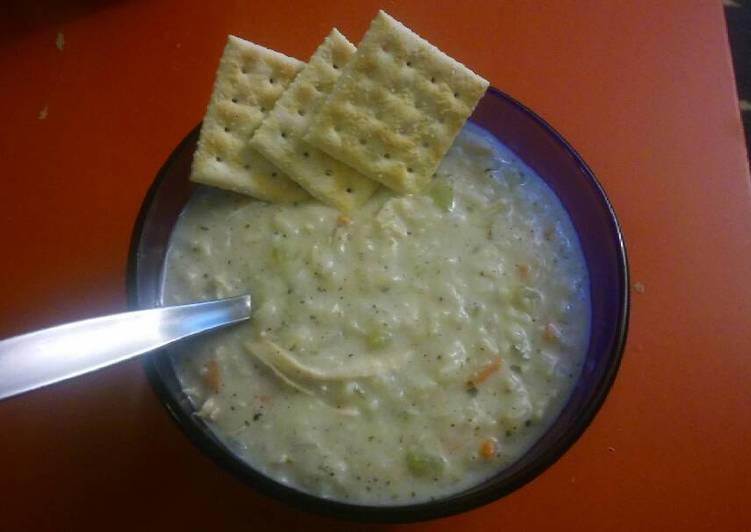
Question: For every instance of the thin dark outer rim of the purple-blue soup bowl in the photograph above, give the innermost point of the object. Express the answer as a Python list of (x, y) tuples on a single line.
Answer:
[(421, 511)]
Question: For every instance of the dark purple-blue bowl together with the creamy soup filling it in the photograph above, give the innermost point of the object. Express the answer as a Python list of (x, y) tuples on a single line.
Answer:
[(419, 357)]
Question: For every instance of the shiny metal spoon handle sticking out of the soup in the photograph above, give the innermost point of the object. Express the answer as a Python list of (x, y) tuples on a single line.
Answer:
[(51, 355)]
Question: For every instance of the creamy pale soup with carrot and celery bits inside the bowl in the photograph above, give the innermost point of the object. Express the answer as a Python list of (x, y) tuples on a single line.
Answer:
[(399, 354)]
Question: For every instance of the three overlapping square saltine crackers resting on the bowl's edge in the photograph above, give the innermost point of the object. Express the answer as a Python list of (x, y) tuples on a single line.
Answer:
[(385, 113)]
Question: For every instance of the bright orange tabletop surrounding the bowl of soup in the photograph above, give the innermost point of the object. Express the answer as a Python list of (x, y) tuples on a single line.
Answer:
[(643, 90)]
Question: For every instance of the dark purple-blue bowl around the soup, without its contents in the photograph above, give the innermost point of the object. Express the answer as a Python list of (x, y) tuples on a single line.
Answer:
[(545, 151)]
